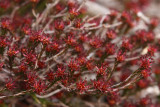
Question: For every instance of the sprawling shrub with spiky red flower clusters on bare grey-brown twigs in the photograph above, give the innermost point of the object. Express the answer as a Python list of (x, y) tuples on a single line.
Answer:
[(53, 49)]
